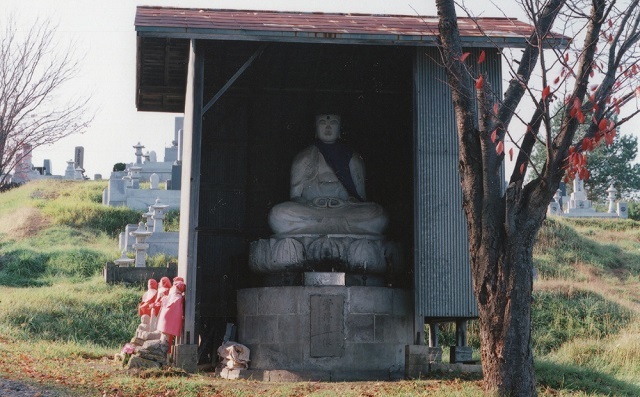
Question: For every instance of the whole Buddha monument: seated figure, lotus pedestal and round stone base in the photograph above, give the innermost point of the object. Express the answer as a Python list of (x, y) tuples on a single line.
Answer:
[(326, 313)]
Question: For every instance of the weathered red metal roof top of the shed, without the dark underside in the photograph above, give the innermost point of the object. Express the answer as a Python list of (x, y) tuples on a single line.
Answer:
[(192, 23)]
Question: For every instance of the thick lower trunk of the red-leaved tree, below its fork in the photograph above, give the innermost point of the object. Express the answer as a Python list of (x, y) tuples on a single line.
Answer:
[(502, 268)]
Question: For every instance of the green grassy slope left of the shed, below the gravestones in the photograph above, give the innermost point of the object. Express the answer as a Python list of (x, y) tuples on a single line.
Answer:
[(50, 264)]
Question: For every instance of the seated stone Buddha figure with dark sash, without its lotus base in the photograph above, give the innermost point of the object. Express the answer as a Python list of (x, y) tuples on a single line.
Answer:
[(327, 190)]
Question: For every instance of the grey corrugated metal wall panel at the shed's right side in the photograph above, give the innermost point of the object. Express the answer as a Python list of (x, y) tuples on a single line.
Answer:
[(442, 269)]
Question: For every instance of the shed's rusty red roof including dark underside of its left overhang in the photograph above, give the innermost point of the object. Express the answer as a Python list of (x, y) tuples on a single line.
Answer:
[(164, 34)]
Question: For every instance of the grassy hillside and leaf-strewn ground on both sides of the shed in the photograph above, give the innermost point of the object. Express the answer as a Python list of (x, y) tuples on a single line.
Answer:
[(60, 324)]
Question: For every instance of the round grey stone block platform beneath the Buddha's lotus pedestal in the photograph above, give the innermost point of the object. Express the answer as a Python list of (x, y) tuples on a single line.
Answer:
[(335, 332)]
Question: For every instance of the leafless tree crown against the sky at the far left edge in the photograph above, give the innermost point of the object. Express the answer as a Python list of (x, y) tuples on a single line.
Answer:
[(31, 77)]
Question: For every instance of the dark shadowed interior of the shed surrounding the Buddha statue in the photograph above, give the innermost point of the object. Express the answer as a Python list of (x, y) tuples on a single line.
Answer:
[(251, 134)]
